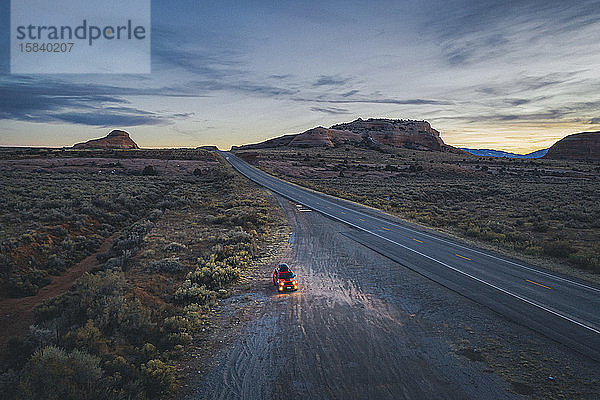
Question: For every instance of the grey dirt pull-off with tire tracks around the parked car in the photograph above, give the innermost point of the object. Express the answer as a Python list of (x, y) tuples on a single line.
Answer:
[(364, 327)]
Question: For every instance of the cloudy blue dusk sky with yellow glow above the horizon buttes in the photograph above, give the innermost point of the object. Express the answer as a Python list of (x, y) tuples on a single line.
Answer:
[(507, 75)]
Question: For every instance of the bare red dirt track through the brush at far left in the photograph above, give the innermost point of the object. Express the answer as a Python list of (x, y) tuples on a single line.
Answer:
[(17, 314)]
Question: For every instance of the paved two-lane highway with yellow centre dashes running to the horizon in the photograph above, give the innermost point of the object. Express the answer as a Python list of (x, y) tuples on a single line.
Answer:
[(560, 307)]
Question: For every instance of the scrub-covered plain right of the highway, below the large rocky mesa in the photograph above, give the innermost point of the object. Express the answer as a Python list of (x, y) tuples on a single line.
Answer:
[(538, 208)]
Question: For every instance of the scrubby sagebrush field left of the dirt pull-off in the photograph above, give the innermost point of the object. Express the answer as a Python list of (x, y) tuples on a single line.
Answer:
[(185, 237)]
